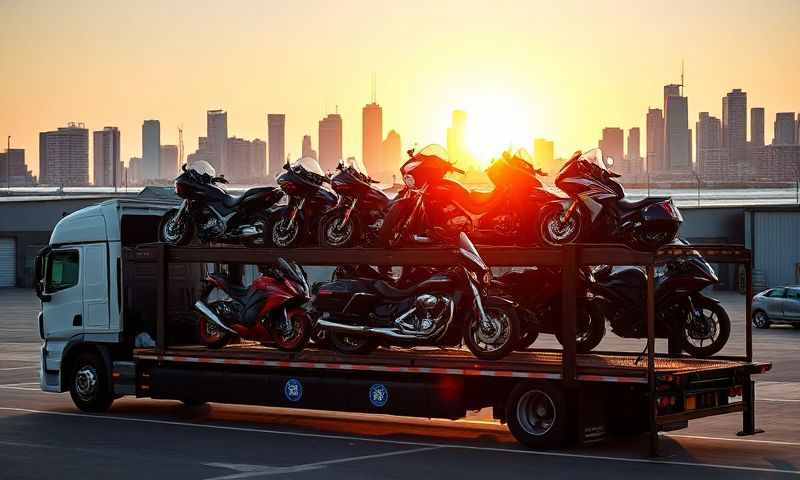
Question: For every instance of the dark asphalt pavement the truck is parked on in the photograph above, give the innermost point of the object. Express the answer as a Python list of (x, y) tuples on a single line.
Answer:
[(42, 435)]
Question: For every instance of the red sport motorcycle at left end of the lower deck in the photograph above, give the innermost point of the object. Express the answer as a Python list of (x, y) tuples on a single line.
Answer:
[(270, 311)]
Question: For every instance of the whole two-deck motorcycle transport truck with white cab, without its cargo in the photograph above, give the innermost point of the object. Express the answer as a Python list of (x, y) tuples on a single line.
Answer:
[(105, 283)]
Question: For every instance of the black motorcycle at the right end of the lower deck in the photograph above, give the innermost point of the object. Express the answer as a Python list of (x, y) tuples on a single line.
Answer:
[(683, 313)]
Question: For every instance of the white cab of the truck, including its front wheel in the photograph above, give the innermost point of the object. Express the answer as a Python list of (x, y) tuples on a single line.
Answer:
[(79, 281)]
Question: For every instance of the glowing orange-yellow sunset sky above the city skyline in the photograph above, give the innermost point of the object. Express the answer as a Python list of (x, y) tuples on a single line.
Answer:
[(521, 69)]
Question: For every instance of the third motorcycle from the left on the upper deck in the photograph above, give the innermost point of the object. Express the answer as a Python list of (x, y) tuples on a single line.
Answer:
[(359, 216)]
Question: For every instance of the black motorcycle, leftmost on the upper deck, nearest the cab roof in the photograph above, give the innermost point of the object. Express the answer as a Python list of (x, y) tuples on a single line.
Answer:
[(214, 215)]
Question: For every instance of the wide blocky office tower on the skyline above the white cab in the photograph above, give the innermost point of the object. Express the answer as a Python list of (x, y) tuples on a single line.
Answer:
[(64, 156)]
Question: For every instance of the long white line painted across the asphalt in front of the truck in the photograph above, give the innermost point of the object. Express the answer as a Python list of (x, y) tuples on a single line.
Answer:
[(412, 443)]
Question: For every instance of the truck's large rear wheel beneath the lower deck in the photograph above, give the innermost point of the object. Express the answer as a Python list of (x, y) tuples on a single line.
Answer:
[(537, 415)]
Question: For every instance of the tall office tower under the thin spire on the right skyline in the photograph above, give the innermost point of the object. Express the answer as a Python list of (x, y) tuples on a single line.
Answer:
[(677, 139)]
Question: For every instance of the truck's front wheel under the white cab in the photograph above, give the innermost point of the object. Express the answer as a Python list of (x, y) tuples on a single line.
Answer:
[(89, 383)]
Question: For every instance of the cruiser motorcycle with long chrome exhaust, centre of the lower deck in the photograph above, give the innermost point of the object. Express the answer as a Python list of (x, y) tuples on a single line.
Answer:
[(440, 310)]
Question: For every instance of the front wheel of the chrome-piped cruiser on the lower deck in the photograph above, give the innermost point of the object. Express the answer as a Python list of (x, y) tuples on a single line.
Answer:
[(493, 344)]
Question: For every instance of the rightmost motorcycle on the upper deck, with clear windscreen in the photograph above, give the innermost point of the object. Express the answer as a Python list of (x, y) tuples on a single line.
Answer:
[(597, 210)]
